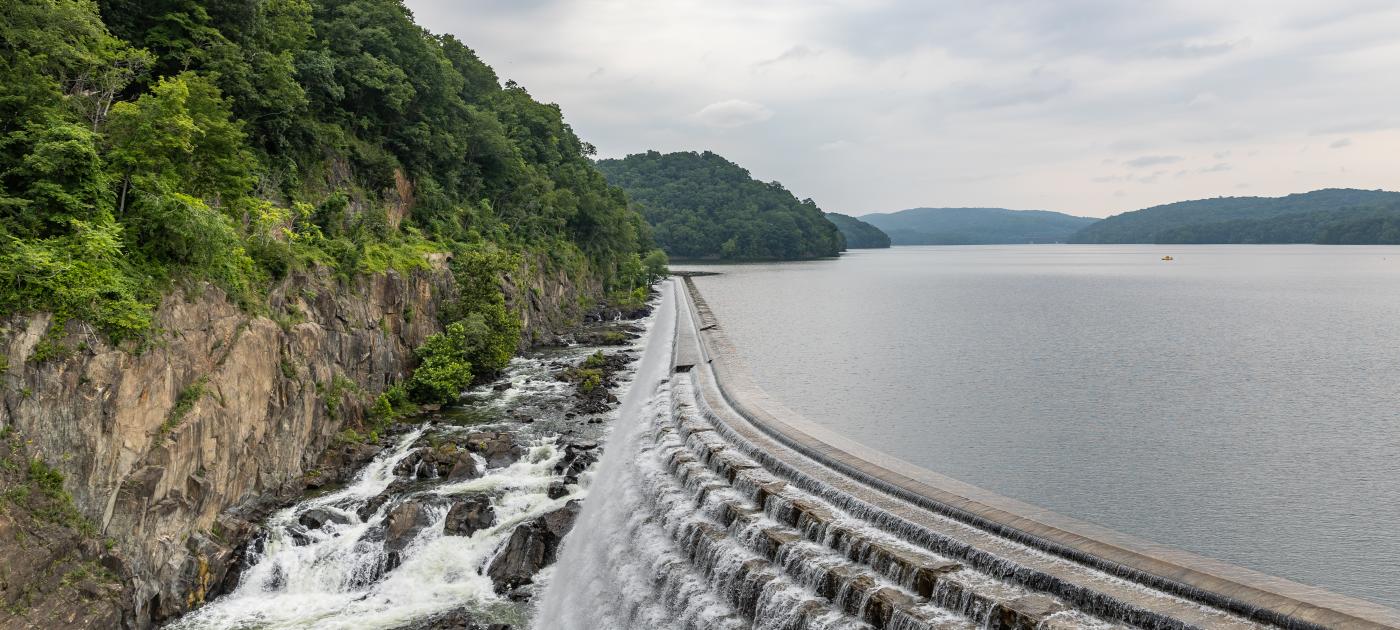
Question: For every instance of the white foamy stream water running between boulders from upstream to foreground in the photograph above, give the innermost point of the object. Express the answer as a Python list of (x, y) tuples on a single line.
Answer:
[(335, 577)]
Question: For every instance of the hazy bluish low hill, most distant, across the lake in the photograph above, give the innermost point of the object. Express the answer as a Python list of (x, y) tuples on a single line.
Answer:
[(975, 226)]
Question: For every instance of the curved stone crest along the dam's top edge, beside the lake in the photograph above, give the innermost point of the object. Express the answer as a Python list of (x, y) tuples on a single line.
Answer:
[(1205, 582)]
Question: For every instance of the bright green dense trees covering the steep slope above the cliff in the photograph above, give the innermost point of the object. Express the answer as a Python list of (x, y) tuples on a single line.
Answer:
[(149, 143)]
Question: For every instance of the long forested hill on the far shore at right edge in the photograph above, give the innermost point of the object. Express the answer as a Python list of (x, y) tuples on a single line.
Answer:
[(1329, 216)]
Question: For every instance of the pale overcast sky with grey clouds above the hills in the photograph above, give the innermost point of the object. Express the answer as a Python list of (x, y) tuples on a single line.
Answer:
[(1086, 107)]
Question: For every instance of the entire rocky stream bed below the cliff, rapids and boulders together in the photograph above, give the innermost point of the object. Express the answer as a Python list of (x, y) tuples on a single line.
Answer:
[(390, 549)]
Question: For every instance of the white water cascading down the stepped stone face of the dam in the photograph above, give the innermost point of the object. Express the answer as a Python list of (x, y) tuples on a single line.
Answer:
[(691, 526)]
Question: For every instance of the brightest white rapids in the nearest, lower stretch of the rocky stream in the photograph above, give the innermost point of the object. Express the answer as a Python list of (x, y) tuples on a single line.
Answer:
[(339, 576)]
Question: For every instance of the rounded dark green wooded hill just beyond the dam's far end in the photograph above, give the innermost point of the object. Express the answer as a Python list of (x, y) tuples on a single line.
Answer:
[(703, 206)]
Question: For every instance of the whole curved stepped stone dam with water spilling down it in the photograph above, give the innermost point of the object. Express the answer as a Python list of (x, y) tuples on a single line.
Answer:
[(717, 507)]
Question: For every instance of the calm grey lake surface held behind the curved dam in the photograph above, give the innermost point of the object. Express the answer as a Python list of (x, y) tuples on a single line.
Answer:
[(1241, 402)]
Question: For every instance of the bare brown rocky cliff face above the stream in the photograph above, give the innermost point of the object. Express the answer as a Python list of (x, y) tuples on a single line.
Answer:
[(176, 451)]
